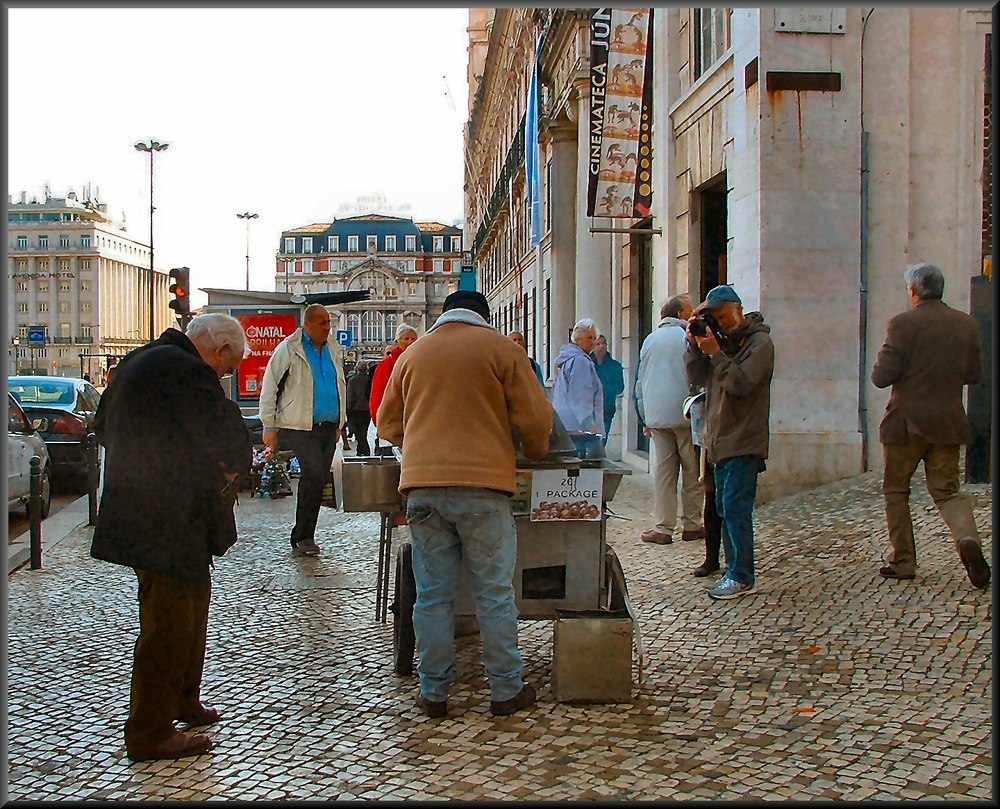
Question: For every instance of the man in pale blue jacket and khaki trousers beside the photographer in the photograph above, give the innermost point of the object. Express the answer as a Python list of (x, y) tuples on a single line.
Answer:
[(661, 386)]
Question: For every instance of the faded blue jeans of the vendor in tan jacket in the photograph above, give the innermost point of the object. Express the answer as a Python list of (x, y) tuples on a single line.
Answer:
[(453, 527)]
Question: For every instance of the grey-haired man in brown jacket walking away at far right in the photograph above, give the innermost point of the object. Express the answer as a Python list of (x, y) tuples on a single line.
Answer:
[(930, 353)]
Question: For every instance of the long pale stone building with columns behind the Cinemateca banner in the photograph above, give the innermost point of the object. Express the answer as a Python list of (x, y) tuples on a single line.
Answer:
[(806, 156)]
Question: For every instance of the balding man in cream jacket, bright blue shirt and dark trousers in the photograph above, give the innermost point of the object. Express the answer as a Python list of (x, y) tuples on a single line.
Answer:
[(303, 404)]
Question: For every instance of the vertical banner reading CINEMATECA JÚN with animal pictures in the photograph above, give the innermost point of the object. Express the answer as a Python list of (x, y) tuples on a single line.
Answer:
[(621, 104)]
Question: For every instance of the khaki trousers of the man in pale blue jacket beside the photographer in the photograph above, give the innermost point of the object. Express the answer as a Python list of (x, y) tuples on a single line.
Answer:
[(675, 452)]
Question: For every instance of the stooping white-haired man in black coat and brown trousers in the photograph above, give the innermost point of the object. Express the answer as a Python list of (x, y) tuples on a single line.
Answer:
[(174, 444)]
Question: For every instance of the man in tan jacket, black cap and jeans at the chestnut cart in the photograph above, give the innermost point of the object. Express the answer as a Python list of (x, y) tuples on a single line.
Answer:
[(451, 402)]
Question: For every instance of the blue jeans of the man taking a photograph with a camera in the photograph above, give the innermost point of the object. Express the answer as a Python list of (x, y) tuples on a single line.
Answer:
[(735, 489)]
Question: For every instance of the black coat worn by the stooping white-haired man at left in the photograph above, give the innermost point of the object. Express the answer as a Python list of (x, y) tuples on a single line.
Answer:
[(169, 433)]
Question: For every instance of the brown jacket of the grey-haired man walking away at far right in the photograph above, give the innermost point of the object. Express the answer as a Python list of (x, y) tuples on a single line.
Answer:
[(930, 353)]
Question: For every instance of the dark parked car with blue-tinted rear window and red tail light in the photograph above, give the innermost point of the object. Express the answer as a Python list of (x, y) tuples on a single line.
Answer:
[(62, 409)]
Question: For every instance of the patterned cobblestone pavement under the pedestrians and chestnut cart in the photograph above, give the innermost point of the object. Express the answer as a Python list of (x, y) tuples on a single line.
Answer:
[(826, 683)]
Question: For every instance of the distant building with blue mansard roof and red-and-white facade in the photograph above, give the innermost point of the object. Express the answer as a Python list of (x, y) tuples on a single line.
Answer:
[(409, 268)]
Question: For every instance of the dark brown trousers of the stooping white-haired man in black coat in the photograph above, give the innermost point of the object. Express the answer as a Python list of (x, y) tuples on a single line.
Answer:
[(169, 655)]
